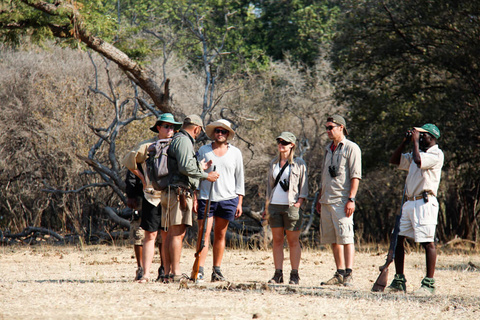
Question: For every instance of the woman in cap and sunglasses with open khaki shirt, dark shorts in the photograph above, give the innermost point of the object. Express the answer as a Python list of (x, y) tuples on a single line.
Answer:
[(287, 189)]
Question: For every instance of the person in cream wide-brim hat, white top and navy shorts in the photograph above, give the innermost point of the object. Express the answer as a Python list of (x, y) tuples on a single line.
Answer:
[(227, 192)]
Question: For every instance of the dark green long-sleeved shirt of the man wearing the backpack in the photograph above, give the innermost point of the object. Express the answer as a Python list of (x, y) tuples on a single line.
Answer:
[(183, 166)]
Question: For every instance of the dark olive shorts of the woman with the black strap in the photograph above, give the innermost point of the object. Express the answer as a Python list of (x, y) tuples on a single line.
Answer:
[(284, 216)]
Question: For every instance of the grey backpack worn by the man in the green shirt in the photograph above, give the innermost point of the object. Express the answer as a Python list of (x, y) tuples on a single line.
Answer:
[(156, 163)]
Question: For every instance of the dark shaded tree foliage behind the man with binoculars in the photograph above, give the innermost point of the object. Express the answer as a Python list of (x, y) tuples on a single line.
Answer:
[(413, 62)]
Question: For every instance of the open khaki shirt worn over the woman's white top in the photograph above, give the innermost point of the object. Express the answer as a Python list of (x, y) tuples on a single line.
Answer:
[(298, 181)]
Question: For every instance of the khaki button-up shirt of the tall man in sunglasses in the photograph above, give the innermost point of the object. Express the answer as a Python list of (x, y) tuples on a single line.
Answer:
[(347, 158)]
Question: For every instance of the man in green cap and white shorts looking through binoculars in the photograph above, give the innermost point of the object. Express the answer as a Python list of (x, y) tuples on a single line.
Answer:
[(420, 211)]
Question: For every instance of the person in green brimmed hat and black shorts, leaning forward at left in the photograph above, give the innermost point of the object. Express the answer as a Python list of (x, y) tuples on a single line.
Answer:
[(165, 126)]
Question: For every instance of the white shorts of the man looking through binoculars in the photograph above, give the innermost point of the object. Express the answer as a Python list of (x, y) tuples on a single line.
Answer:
[(419, 220)]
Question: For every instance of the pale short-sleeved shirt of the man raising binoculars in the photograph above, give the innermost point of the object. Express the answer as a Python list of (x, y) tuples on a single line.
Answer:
[(427, 177)]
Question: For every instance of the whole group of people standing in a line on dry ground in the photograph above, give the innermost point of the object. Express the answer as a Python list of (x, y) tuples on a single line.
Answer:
[(191, 176)]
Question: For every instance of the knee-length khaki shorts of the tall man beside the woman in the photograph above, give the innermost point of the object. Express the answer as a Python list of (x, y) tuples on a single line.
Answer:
[(335, 227)]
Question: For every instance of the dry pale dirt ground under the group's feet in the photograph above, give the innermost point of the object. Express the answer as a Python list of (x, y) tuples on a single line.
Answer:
[(96, 282)]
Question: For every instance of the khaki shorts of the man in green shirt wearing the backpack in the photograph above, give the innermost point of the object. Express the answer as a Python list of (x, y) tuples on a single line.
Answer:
[(172, 214)]
